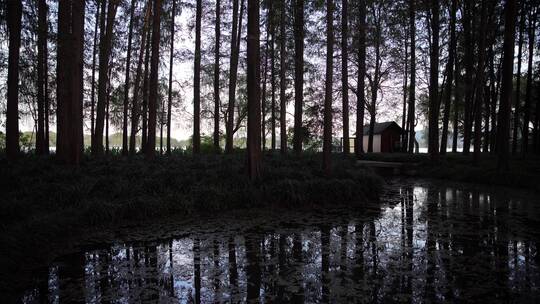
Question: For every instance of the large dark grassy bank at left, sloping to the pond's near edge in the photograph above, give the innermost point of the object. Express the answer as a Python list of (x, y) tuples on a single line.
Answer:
[(43, 201)]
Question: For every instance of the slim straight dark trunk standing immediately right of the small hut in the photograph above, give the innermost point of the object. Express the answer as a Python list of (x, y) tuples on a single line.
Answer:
[(412, 89)]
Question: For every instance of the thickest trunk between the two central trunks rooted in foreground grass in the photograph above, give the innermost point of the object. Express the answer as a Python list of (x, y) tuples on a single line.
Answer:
[(298, 74)]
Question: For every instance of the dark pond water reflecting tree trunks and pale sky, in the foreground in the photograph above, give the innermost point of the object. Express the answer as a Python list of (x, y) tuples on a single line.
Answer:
[(429, 242)]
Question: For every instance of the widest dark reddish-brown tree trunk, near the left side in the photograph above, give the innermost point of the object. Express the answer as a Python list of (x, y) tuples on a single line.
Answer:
[(70, 81)]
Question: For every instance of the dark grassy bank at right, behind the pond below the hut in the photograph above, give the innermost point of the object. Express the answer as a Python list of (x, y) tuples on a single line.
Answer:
[(524, 172)]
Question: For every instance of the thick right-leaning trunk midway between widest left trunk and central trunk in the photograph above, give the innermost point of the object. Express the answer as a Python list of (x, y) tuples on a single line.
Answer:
[(154, 66)]
